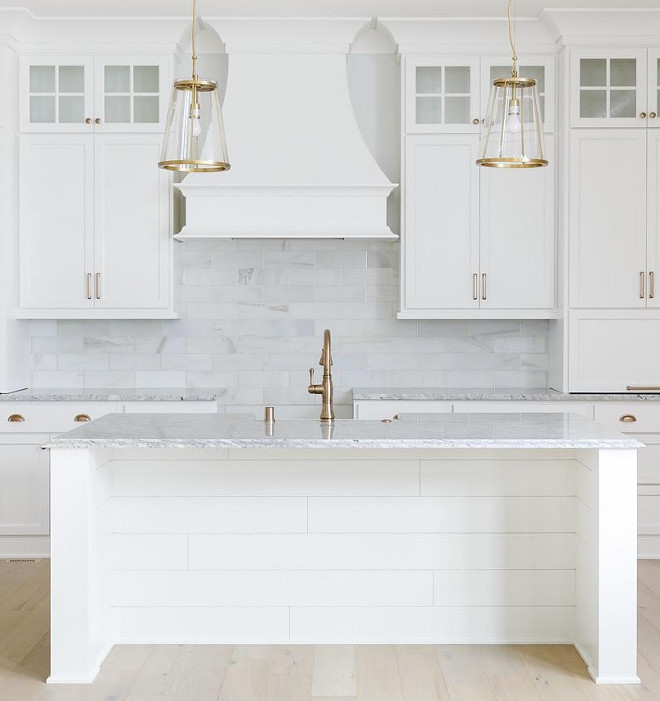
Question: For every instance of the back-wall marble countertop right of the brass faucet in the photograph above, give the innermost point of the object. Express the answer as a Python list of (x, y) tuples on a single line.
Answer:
[(495, 395)]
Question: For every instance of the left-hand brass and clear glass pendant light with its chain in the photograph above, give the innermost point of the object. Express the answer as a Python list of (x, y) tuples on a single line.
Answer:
[(194, 134)]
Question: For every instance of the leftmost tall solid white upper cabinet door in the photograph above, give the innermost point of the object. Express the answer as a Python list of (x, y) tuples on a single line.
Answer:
[(56, 220)]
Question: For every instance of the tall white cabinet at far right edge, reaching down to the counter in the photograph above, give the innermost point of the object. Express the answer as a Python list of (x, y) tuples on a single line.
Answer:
[(614, 220)]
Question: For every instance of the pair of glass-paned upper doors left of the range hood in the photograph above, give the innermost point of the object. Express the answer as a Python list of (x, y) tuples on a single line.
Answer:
[(92, 93)]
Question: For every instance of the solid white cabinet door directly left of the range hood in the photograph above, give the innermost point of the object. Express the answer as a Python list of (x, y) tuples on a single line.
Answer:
[(132, 242)]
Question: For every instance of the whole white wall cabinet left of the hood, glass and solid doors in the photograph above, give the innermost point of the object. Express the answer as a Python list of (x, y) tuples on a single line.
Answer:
[(95, 210)]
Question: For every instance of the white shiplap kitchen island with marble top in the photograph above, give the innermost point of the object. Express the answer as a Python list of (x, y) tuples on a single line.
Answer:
[(470, 528)]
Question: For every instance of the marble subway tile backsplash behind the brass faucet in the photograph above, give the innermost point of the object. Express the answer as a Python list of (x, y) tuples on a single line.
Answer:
[(253, 316)]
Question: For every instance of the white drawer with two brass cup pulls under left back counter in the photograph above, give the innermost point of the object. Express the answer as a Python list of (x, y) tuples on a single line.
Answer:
[(49, 417)]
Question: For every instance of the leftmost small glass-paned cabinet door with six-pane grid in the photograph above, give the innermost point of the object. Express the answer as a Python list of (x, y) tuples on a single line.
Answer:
[(56, 93)]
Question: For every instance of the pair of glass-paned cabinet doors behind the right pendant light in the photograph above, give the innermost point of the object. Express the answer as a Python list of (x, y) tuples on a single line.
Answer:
[(449, 95)]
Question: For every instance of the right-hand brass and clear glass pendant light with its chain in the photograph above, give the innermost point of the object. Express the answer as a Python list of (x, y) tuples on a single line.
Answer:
[(513, 130)]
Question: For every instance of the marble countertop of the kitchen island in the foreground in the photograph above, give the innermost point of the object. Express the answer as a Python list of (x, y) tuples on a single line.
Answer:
[(556, 430)]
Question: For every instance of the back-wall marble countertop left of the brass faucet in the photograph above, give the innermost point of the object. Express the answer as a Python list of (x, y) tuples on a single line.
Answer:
[(113, 395)]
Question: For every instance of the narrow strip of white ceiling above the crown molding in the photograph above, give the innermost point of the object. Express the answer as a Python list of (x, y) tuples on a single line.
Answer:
[(306, 8)]
